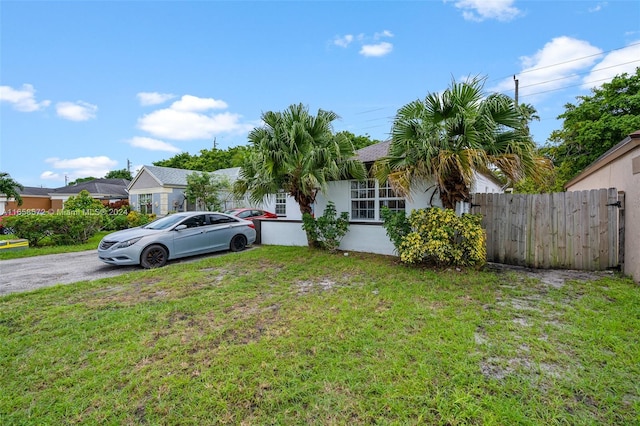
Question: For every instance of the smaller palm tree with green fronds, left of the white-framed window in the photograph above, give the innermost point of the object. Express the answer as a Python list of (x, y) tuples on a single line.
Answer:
[(298, 153)]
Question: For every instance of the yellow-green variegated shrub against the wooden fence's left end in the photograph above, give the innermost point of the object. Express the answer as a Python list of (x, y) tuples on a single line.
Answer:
[(439, 237)]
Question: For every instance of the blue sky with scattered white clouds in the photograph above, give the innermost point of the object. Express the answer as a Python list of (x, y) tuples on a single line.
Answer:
[(86, 86)]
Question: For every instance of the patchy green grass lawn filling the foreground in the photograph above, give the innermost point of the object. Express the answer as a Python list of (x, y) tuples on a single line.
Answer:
[(286, 335)]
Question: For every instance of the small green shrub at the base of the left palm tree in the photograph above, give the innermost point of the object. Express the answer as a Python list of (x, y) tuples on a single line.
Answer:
[(329, 229)]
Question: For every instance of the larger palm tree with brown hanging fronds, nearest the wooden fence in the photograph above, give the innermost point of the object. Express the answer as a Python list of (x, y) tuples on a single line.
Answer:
[(449, 136)]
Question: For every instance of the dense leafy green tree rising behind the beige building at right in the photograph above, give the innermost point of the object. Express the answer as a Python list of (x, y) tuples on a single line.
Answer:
[(594, 124)]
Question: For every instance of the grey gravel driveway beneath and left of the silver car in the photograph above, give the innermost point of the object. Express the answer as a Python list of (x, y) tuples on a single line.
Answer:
[(31, 273)]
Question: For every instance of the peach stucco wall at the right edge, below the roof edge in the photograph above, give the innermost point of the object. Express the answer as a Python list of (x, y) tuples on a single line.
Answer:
[(619, 174)]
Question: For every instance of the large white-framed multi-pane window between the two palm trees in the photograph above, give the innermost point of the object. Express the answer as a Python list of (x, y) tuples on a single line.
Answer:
[(368, 197)]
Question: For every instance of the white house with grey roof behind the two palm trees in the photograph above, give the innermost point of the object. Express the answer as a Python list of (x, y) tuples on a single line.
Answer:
[(363, 200)]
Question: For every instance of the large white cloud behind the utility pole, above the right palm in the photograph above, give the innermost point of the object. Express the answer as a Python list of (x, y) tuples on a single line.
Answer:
[(553, 67)]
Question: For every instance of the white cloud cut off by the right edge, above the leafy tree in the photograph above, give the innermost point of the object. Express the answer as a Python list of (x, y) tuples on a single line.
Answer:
[(614, 63)]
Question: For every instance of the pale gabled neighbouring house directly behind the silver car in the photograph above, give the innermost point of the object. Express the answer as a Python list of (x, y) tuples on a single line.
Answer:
[(160, 190)]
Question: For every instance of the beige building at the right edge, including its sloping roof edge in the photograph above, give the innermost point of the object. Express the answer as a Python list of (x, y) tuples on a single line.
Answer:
[(619, 168)]
